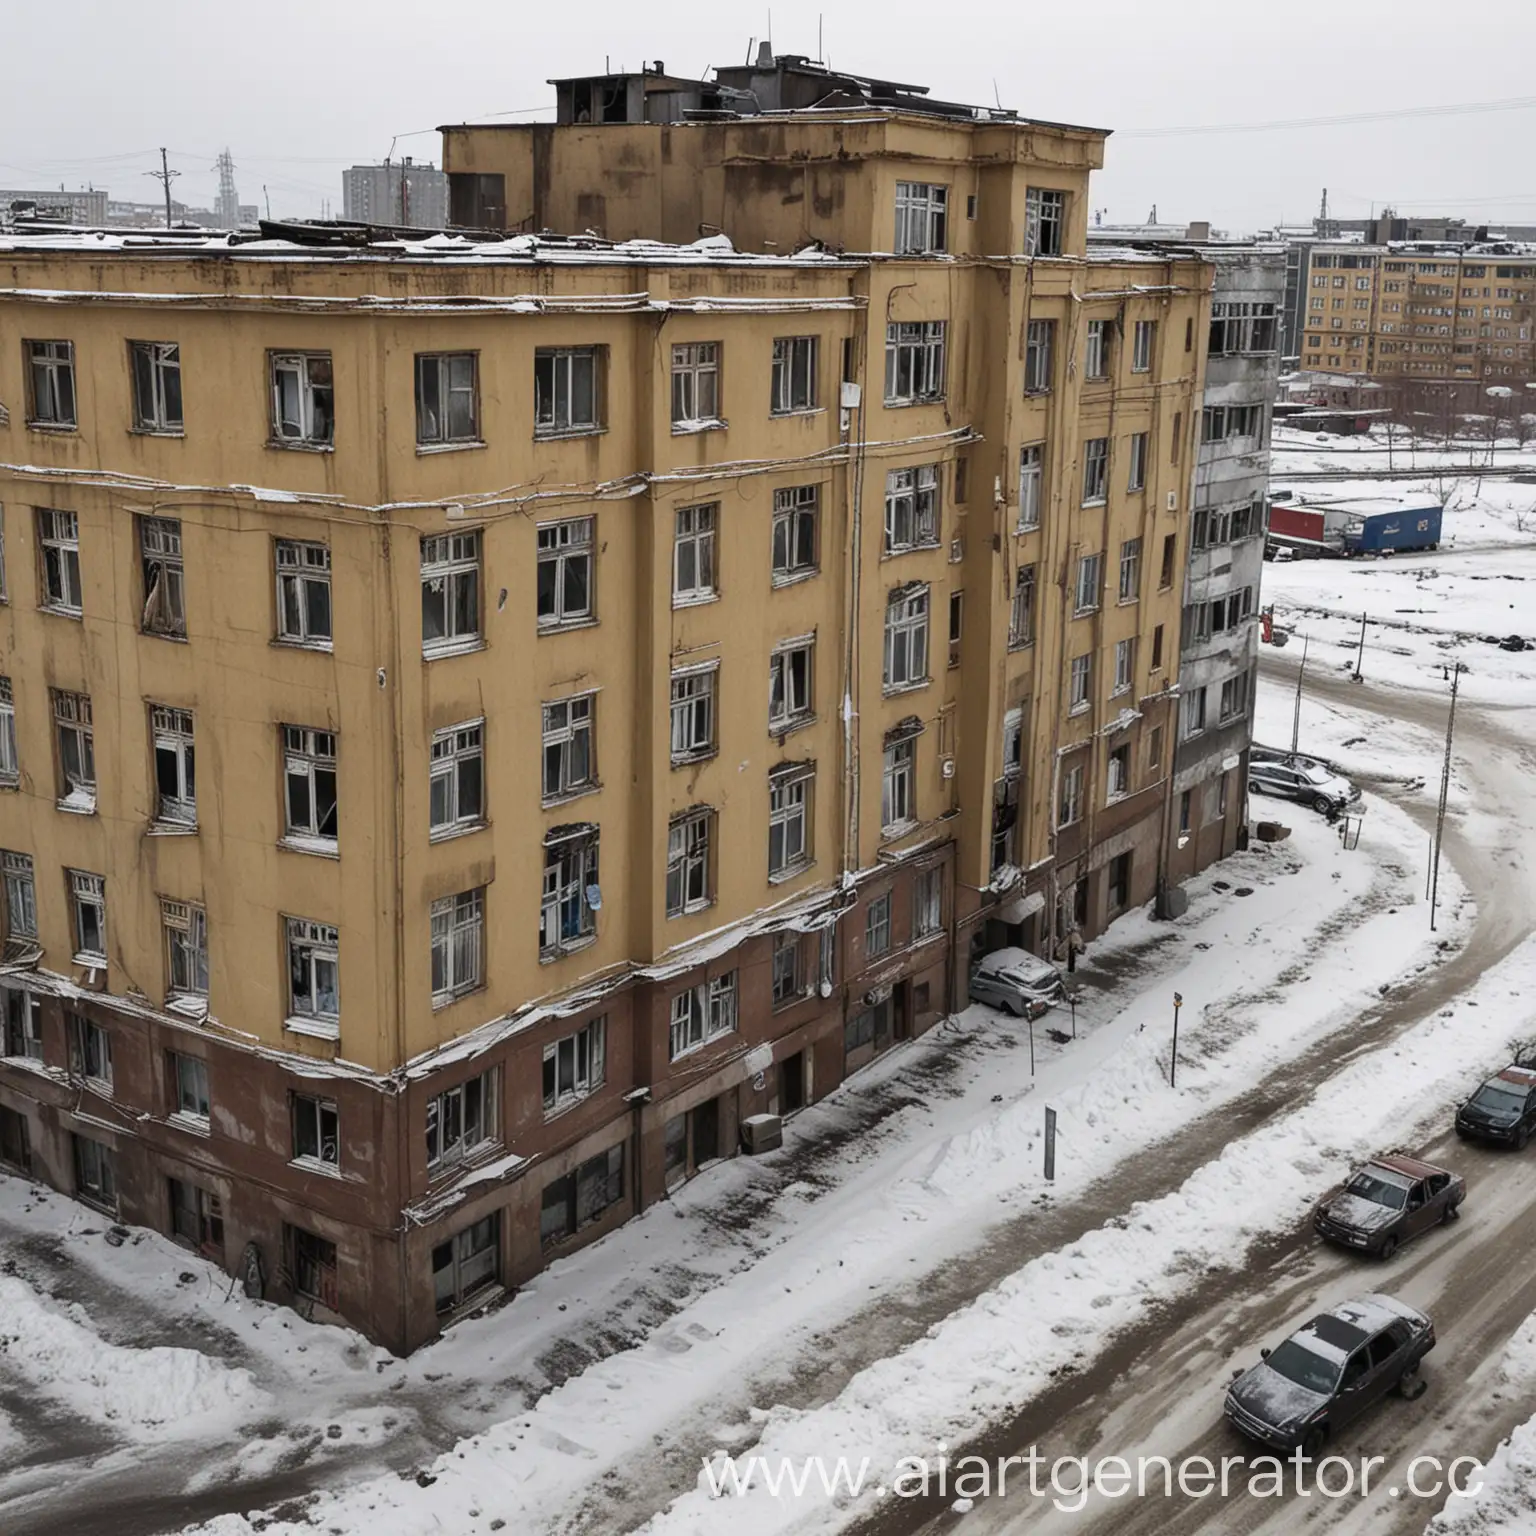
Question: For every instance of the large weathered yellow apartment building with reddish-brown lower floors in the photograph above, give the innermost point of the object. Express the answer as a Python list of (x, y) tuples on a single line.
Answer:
[(489, 724)]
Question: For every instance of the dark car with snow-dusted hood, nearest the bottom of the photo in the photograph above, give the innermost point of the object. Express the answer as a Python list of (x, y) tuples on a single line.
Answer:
[(1329, 1372)]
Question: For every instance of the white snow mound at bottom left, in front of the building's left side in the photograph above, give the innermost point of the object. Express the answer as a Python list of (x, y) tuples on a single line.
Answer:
[(144, 1392)]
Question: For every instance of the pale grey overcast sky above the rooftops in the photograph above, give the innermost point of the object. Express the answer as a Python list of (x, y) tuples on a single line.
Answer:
[(300, 88)]
